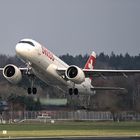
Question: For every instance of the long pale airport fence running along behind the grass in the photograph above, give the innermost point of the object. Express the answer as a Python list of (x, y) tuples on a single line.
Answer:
[(45, 116)]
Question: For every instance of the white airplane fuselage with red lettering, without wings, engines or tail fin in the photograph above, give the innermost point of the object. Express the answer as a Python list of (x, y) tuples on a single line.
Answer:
[(44, 65)]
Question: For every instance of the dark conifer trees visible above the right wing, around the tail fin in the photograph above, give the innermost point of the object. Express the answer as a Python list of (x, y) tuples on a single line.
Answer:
[(105, 61)]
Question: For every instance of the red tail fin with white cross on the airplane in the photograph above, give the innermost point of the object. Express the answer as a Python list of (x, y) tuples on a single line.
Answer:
[(91, 61)]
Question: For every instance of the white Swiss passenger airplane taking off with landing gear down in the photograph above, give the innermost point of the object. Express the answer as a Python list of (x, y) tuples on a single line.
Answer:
[(42, 63)]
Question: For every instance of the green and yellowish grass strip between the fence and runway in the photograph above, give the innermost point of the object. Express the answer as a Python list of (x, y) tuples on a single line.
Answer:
[(71, 129)]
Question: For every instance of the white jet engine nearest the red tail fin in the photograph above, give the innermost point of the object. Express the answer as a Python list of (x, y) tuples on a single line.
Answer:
[(75, 74)]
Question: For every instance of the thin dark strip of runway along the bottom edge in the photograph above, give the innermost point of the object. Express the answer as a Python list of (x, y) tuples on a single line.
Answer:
[(76, 138)]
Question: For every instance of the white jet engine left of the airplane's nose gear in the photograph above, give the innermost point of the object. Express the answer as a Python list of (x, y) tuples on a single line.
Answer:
[(12, 73)]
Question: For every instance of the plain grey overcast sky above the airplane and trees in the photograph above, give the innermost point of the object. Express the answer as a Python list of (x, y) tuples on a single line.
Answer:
[(72, 26)]
